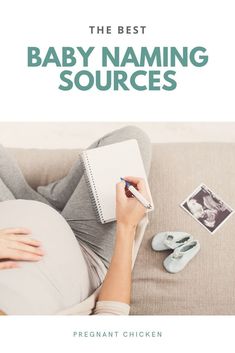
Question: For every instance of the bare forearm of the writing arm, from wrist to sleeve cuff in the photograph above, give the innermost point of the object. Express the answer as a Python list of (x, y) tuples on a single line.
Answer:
[(117, 283)]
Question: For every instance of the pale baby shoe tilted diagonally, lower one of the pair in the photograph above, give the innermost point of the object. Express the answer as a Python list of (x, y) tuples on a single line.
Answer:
[(181, 256)]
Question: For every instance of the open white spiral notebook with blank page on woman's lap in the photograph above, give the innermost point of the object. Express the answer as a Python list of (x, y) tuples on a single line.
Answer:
[(103, 168)]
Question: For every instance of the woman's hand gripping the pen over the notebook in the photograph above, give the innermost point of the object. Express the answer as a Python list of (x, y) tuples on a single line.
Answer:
[(129, 211)]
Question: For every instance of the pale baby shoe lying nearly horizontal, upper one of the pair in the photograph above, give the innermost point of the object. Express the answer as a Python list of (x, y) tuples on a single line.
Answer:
[(170, 240)]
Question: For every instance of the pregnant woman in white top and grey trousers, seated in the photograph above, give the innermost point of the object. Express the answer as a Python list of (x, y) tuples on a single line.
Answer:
[(54, 255)]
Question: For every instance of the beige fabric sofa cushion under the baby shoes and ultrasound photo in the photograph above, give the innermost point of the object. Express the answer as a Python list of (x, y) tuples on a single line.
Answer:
[(207, 284)]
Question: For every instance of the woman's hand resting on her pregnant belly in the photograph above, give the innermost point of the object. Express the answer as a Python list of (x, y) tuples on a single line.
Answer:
[(16, 244)]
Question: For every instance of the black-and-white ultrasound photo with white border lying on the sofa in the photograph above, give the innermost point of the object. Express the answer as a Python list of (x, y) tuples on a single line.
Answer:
[(207, 208)]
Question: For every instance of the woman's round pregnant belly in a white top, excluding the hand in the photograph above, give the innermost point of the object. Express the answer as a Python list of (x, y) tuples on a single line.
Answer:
[(60, 279)]
